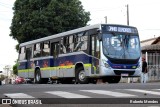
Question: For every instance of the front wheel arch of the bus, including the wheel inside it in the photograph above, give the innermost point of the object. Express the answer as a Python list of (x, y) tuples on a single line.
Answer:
[(80, 74)]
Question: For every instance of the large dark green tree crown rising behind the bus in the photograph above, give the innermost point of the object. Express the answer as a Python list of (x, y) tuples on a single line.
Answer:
[(35, 19)]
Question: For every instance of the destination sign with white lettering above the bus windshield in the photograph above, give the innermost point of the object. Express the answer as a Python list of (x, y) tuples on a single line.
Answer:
[(119, 29)]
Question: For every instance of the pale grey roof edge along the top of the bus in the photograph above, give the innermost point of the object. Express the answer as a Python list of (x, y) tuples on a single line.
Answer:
[(65, 33)]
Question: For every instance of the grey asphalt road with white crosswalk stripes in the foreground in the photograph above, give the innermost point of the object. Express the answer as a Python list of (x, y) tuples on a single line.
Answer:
[(86, 95)]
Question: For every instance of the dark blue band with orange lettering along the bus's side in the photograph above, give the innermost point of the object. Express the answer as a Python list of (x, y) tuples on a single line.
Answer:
[(53, 62)]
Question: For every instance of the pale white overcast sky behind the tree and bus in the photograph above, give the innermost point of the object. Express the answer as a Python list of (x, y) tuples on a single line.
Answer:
[(143, 14)]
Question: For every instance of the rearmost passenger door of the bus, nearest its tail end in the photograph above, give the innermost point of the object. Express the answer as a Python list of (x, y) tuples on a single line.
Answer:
[(28, 65)]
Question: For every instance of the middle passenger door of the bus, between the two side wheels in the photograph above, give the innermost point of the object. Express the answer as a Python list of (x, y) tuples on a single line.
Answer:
[(55, 64)]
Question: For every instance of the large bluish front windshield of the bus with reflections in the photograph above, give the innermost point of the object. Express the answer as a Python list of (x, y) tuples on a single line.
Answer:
[(121, 46)]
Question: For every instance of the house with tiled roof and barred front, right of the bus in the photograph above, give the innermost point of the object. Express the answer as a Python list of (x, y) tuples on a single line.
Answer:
[(151, 50)]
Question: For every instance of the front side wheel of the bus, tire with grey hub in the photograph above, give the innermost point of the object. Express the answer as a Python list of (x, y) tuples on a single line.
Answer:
[(80, 76)]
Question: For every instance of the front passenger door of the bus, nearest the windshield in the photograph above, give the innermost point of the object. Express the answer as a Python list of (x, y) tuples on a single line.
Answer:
[(95, 54)]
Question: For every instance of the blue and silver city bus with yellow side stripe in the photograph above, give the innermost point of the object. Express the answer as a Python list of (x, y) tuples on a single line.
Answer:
[(102, 51)]
